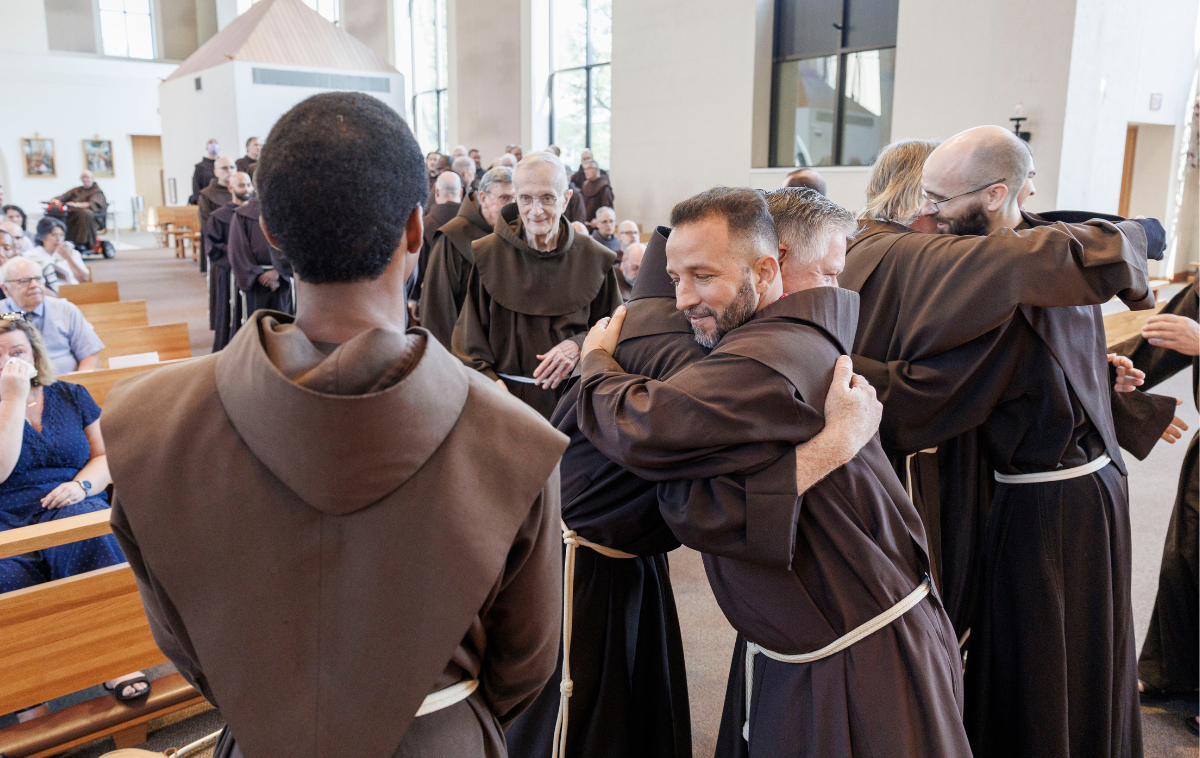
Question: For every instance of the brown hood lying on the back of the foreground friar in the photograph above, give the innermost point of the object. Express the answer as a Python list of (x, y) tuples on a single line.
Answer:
[(381, 405)]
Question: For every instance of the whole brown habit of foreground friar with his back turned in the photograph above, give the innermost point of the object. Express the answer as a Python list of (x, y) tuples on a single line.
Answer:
[(319, 588)]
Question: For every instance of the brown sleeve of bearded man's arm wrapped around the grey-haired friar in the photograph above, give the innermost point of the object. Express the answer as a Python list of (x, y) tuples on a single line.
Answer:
[(722, 416)]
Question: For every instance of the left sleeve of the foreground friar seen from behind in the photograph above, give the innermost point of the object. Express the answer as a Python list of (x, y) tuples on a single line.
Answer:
[(166, 623)]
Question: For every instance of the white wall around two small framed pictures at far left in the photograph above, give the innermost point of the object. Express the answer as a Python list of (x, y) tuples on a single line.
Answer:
[(70, 99)]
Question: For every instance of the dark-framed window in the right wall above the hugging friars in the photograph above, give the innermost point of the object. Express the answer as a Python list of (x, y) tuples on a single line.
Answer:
[(833, 76)]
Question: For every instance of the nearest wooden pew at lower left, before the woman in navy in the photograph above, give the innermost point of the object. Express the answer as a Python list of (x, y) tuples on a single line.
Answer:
[(69, 635)]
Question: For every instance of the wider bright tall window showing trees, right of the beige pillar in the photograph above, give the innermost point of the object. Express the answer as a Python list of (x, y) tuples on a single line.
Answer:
[(581, 79)]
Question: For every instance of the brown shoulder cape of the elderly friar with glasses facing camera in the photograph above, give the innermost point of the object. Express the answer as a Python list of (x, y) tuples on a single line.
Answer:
[(535, 284)]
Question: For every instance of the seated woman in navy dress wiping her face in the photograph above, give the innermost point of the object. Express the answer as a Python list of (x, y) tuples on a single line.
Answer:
[(52, 466)]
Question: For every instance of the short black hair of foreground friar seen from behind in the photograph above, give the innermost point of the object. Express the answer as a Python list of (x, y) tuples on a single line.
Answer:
[(338, 179)]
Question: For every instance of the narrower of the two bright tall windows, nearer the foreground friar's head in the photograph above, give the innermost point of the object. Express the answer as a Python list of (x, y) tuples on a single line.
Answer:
[(430, 73)]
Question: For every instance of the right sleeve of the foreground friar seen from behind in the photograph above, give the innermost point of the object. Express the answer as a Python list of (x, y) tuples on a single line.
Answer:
[(525, 621)]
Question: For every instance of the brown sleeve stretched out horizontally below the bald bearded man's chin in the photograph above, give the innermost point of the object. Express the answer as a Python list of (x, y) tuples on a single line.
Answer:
[(957, 288)]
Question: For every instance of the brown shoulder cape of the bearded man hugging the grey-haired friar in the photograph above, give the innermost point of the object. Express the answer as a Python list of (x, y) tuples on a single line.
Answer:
[(831, 314)]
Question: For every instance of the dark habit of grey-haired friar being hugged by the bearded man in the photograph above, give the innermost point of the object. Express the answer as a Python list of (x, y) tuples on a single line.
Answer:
[(629, 683)]
